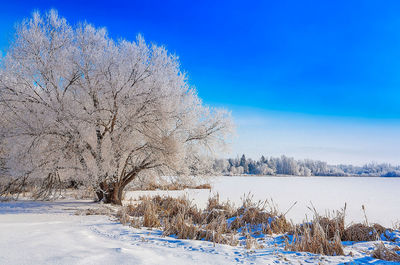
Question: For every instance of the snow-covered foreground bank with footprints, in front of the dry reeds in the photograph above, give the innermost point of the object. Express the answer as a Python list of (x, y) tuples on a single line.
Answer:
[(50, 233)]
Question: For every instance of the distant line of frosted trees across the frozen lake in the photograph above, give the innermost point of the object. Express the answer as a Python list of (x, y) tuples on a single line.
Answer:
[(289, 166)]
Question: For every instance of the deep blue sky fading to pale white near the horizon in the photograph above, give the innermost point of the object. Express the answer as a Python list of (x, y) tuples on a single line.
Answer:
[(303, 78)]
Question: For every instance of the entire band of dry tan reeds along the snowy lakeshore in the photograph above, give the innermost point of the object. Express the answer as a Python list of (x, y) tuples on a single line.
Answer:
[(220, 222)]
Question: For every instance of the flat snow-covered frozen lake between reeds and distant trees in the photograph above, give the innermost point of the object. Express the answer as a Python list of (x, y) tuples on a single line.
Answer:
[(380, 196)]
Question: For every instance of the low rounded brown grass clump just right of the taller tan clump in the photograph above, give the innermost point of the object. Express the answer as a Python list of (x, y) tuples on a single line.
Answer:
[(362, 232)]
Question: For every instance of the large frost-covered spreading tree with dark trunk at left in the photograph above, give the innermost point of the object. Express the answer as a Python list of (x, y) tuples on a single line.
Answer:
[(76, 104)]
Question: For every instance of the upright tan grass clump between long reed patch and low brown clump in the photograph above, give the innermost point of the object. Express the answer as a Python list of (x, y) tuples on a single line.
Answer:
[(315, 241)]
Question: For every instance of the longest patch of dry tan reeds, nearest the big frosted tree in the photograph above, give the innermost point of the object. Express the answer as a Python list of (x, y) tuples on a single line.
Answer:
[(179, 217)]
